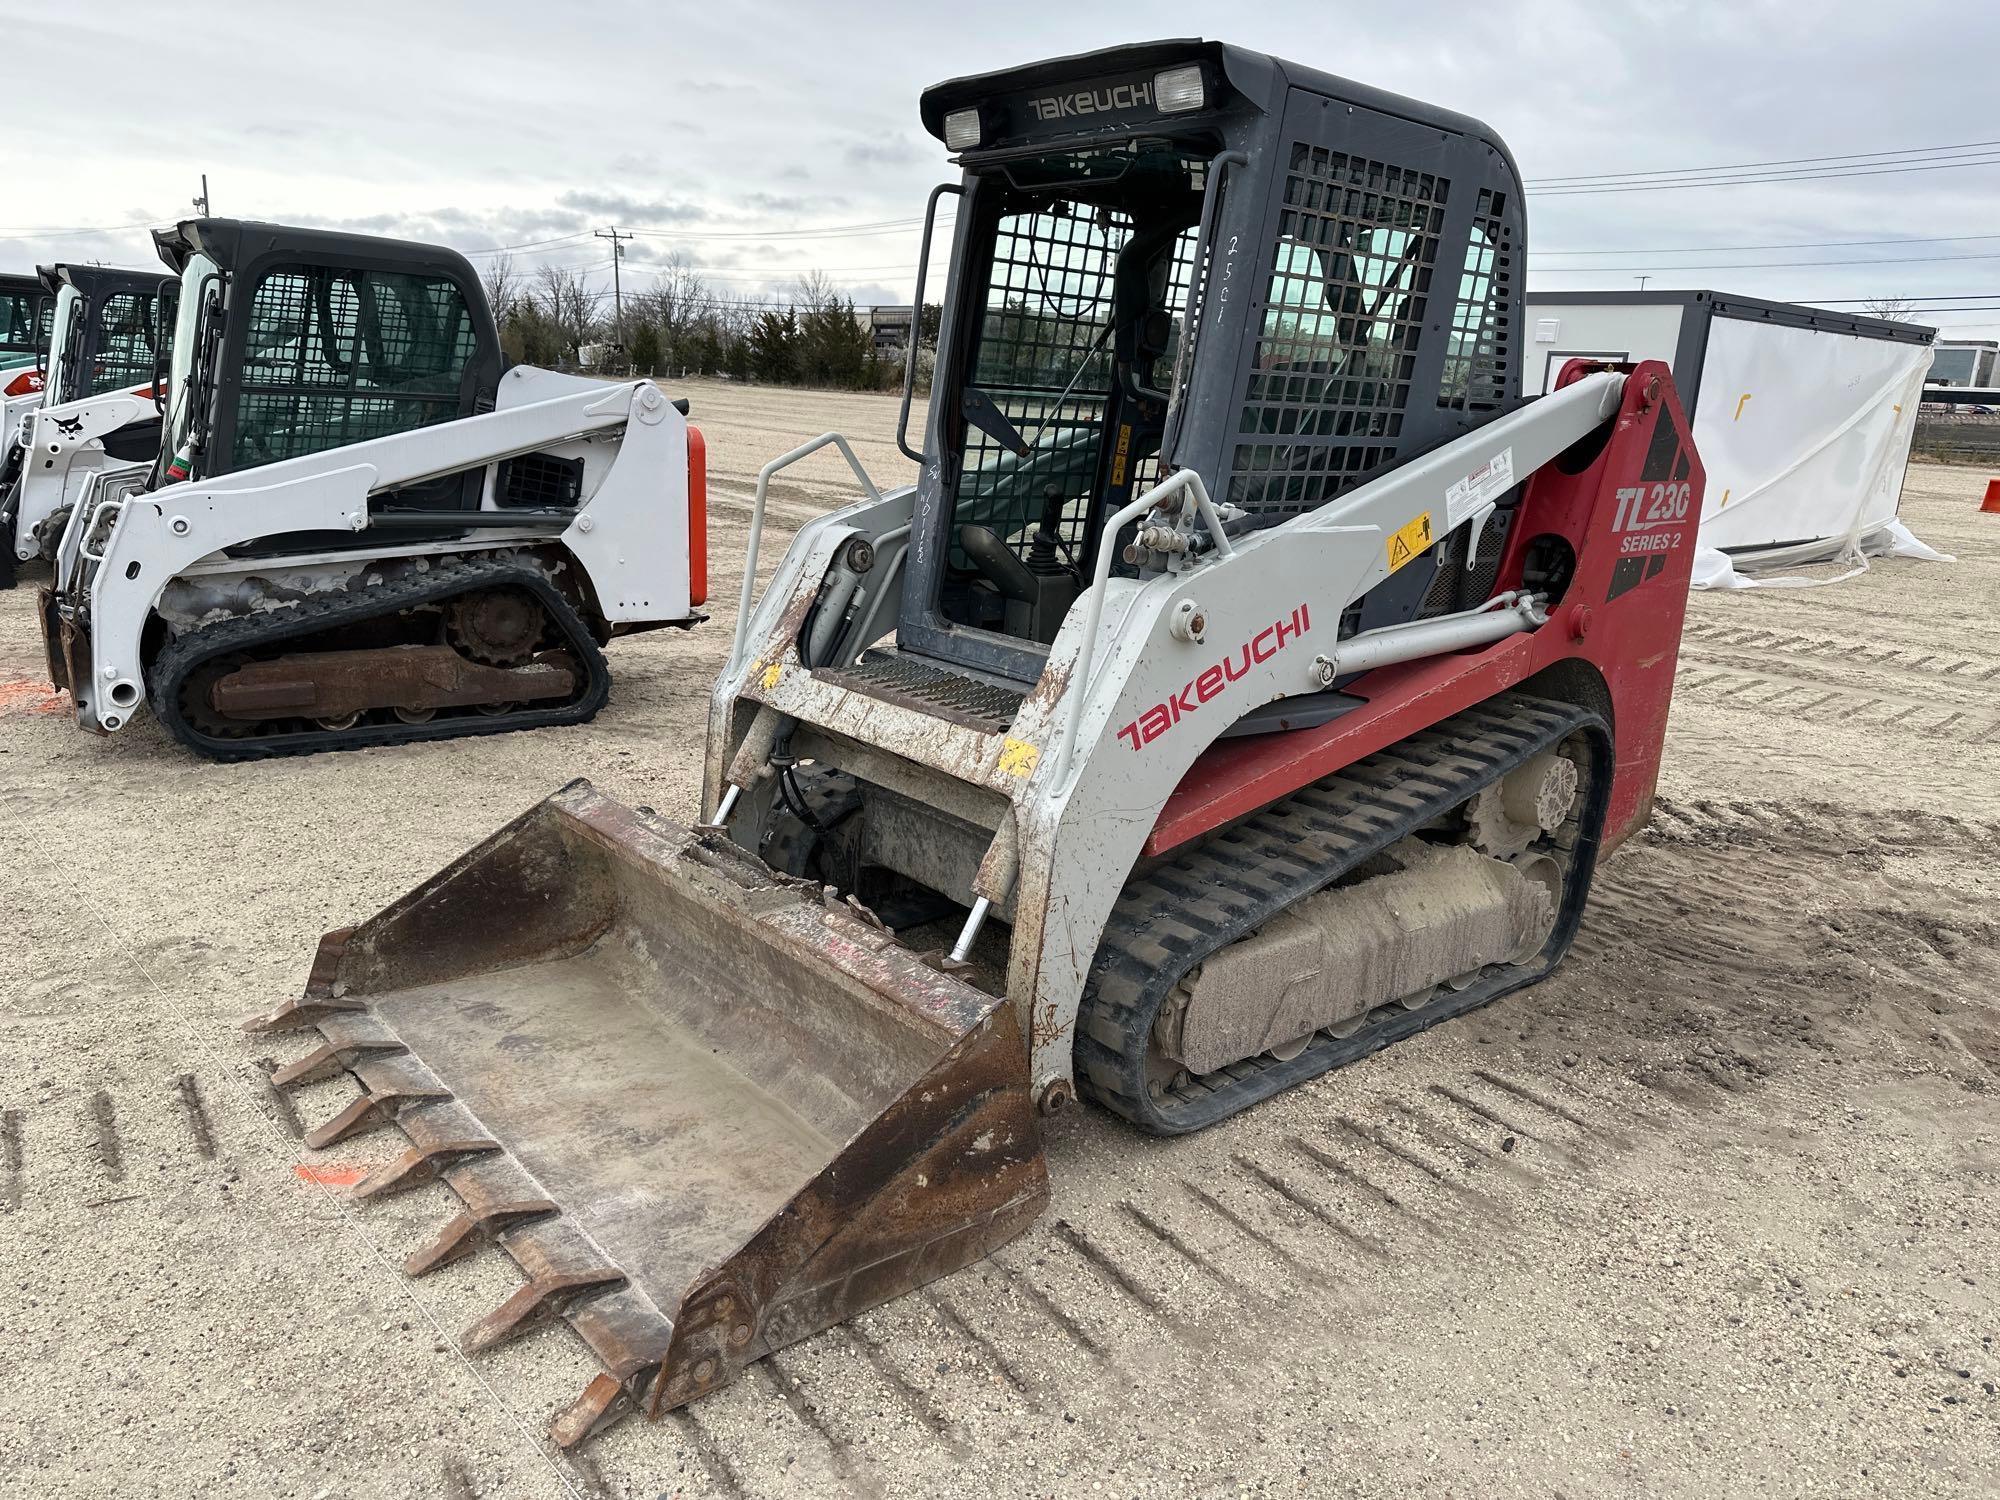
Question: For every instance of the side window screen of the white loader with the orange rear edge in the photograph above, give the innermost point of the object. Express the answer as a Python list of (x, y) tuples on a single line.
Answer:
[(337, 357)]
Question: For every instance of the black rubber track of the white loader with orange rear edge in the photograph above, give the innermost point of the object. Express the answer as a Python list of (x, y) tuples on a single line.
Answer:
[(343, 607)]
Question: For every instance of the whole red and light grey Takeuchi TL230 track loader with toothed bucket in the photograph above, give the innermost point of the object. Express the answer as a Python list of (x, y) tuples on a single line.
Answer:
[(1249, 681)]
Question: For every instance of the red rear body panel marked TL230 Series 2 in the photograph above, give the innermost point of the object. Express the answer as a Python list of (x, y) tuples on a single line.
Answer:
[(1611, 641)]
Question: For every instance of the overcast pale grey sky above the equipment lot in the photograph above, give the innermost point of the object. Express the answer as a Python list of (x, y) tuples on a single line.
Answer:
[(529, 123)]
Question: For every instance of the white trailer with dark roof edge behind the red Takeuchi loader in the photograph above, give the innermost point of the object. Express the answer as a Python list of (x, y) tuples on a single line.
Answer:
[(1803, 417)]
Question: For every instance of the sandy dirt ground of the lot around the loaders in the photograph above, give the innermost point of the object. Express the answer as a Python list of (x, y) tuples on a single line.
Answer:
[(1715, 1211)]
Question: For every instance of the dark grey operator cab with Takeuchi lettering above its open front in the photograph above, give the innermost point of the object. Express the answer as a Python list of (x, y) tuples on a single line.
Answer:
[(1183, 255)]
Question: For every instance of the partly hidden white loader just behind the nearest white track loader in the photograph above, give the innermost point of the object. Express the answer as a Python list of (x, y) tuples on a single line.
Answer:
[(99, 407)]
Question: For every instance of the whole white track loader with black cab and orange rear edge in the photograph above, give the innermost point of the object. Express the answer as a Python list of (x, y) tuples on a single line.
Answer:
[(359, 529)]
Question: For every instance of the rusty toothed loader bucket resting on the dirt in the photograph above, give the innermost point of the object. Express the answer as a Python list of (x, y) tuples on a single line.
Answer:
[(705, 1111)]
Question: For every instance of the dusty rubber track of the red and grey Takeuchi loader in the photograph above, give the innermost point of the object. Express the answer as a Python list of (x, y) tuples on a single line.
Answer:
[(1229, 885)]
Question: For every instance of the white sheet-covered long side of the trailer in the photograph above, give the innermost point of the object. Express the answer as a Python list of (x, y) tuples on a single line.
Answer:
[(1805, 435)]
